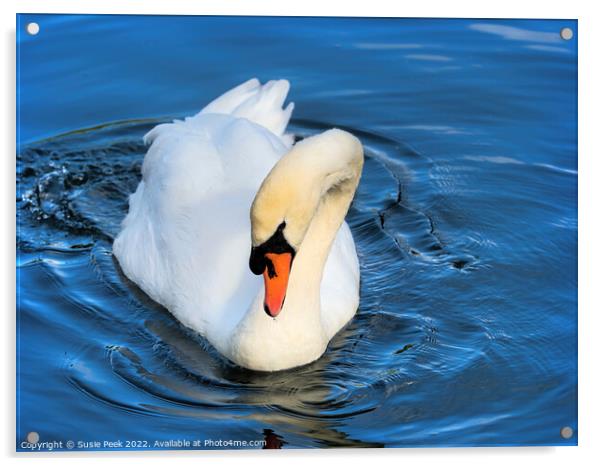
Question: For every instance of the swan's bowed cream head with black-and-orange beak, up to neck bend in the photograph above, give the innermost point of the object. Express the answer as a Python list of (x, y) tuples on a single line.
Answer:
[(326, 165)]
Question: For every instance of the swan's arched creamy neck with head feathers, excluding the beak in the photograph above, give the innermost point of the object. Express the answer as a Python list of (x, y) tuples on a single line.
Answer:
[(309, 190)]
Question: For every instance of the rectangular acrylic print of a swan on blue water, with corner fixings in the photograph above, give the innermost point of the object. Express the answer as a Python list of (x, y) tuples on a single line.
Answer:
[(225, 312)]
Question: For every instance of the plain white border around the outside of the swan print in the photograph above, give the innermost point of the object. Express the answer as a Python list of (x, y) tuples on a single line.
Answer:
[(590, 197)]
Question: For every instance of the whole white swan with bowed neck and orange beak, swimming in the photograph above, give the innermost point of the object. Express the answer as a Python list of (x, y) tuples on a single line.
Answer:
[(188, 234)]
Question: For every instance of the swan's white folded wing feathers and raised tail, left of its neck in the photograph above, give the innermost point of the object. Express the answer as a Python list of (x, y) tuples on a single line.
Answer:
[(186, 238)]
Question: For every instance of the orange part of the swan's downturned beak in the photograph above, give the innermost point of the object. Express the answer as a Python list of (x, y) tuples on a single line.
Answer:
[(275, 277)]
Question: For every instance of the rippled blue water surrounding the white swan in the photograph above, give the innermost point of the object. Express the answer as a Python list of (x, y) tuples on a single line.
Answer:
[(465, 223)]
